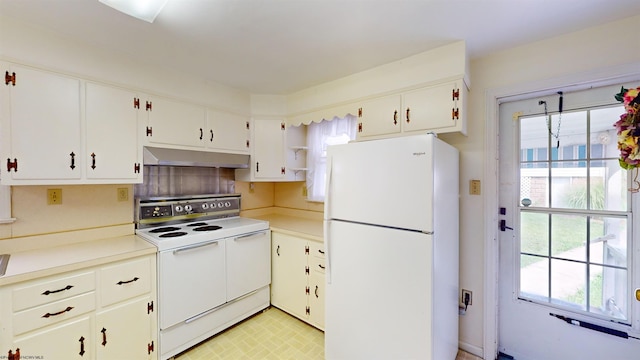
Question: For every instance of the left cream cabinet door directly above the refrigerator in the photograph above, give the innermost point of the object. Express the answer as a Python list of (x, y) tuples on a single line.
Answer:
[(380, 116)]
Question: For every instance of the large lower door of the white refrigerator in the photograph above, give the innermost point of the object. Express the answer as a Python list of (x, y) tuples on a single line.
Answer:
[(379, 298)]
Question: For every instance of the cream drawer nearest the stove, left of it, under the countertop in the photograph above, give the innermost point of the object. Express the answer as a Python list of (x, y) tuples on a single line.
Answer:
[(124, 281)]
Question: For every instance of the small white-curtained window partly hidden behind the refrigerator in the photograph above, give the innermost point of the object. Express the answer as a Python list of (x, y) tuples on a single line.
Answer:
[(320, 136)]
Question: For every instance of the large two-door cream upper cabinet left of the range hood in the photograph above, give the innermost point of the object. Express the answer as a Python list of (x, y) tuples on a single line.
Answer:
[(62, 130)]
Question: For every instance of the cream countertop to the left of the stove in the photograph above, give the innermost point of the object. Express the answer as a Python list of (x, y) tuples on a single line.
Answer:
[(27, 264)]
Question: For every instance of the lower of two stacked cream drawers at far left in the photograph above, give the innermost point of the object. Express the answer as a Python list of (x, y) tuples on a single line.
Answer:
[(52, 313)]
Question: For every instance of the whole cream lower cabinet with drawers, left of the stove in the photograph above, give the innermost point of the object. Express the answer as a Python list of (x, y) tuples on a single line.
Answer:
[(101, 312)]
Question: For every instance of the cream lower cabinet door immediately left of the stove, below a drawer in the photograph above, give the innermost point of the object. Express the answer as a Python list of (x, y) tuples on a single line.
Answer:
[(124, 331)]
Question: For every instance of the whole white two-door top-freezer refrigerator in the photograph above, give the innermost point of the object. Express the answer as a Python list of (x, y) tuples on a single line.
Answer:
[(391, 241)]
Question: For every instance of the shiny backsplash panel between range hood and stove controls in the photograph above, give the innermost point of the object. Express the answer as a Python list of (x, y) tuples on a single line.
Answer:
[(179, 180)]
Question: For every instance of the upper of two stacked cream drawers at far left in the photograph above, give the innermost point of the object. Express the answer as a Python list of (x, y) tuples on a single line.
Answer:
[(52, 289)]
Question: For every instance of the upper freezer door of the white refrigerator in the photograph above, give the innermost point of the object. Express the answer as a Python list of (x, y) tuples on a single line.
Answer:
[(388, 182)]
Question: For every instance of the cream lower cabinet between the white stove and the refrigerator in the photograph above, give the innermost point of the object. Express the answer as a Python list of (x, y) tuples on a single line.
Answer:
[(297, 277)]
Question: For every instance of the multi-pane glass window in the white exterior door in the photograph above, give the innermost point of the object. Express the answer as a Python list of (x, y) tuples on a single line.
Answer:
[(575, 214)]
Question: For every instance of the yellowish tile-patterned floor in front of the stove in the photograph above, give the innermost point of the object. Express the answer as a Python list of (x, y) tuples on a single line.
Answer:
[(271, 334)]
